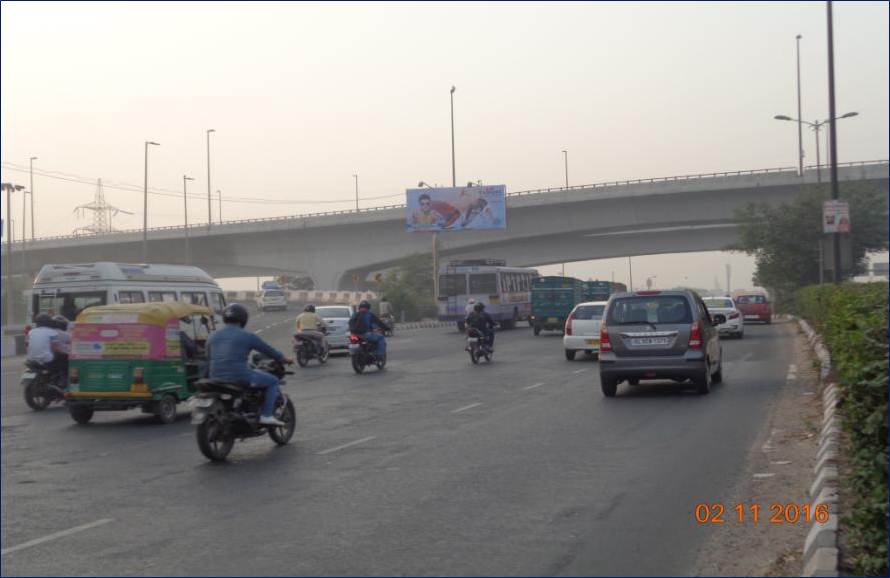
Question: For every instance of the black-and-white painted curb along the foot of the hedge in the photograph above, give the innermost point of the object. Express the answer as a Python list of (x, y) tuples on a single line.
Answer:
[(820, 550)]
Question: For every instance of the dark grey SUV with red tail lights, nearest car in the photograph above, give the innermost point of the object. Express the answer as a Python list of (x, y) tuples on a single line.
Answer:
[(659, 335)]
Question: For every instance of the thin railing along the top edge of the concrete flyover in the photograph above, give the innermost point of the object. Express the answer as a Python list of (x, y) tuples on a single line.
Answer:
[(603, 184)]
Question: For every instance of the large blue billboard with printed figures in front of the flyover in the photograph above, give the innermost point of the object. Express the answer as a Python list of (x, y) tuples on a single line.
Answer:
[(479, 208)]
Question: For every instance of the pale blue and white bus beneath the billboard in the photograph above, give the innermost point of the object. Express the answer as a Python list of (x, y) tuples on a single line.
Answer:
[(505, 291)]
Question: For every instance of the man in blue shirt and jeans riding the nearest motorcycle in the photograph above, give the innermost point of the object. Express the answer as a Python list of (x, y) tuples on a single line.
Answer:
[(228, 350)]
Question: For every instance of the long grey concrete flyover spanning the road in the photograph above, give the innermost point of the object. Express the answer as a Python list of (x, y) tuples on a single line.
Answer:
[(642, 217)]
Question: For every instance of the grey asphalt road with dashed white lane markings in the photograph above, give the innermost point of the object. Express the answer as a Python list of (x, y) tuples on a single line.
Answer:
[(431, 467)]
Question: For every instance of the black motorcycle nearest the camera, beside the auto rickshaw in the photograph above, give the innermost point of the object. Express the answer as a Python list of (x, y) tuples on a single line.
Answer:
[(225, 411)]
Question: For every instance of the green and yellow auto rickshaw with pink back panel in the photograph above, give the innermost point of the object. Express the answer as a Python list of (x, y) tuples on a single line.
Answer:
[(145, 355)]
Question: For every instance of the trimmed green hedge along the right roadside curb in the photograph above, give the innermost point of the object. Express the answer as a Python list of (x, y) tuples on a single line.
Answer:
[(852, 319)]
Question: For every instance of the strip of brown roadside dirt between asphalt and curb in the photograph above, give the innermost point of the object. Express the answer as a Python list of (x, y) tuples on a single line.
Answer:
[(779, 470)]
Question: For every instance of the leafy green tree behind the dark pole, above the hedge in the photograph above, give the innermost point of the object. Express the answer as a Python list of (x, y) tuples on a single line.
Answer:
[(784, 239)]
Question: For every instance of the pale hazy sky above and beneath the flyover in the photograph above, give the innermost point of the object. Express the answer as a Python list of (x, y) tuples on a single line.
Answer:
[(302, 96)]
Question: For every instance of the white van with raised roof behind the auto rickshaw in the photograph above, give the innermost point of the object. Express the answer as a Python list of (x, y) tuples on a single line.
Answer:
[(70, 288)]
